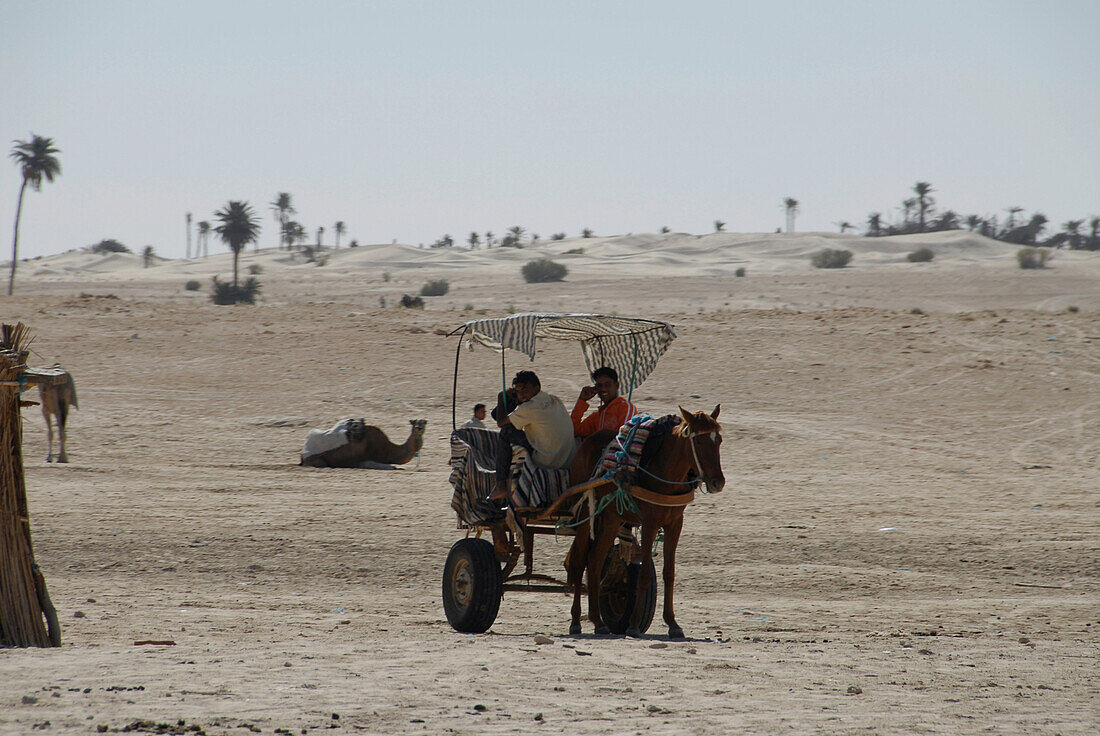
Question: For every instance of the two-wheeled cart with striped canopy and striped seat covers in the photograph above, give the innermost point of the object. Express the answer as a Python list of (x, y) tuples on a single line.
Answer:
[(478, 573)]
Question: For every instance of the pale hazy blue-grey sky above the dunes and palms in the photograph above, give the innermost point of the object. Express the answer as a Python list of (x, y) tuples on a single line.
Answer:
[(410, 120)]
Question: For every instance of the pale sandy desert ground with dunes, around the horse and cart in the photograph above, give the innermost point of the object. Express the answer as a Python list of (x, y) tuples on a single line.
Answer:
[(907, 544)]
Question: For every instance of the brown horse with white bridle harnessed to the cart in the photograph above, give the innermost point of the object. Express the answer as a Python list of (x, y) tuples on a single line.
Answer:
[(692, 447)]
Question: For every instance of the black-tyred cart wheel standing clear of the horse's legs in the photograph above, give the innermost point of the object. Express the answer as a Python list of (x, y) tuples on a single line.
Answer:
[(472, 586)]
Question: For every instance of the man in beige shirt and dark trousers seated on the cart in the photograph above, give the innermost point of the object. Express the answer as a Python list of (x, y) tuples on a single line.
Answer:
[(541, 424)]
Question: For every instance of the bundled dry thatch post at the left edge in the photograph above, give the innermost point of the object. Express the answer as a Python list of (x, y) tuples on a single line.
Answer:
[(24, 597)]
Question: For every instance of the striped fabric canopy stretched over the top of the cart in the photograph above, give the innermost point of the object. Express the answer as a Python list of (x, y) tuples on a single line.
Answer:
[(630, 346)]
